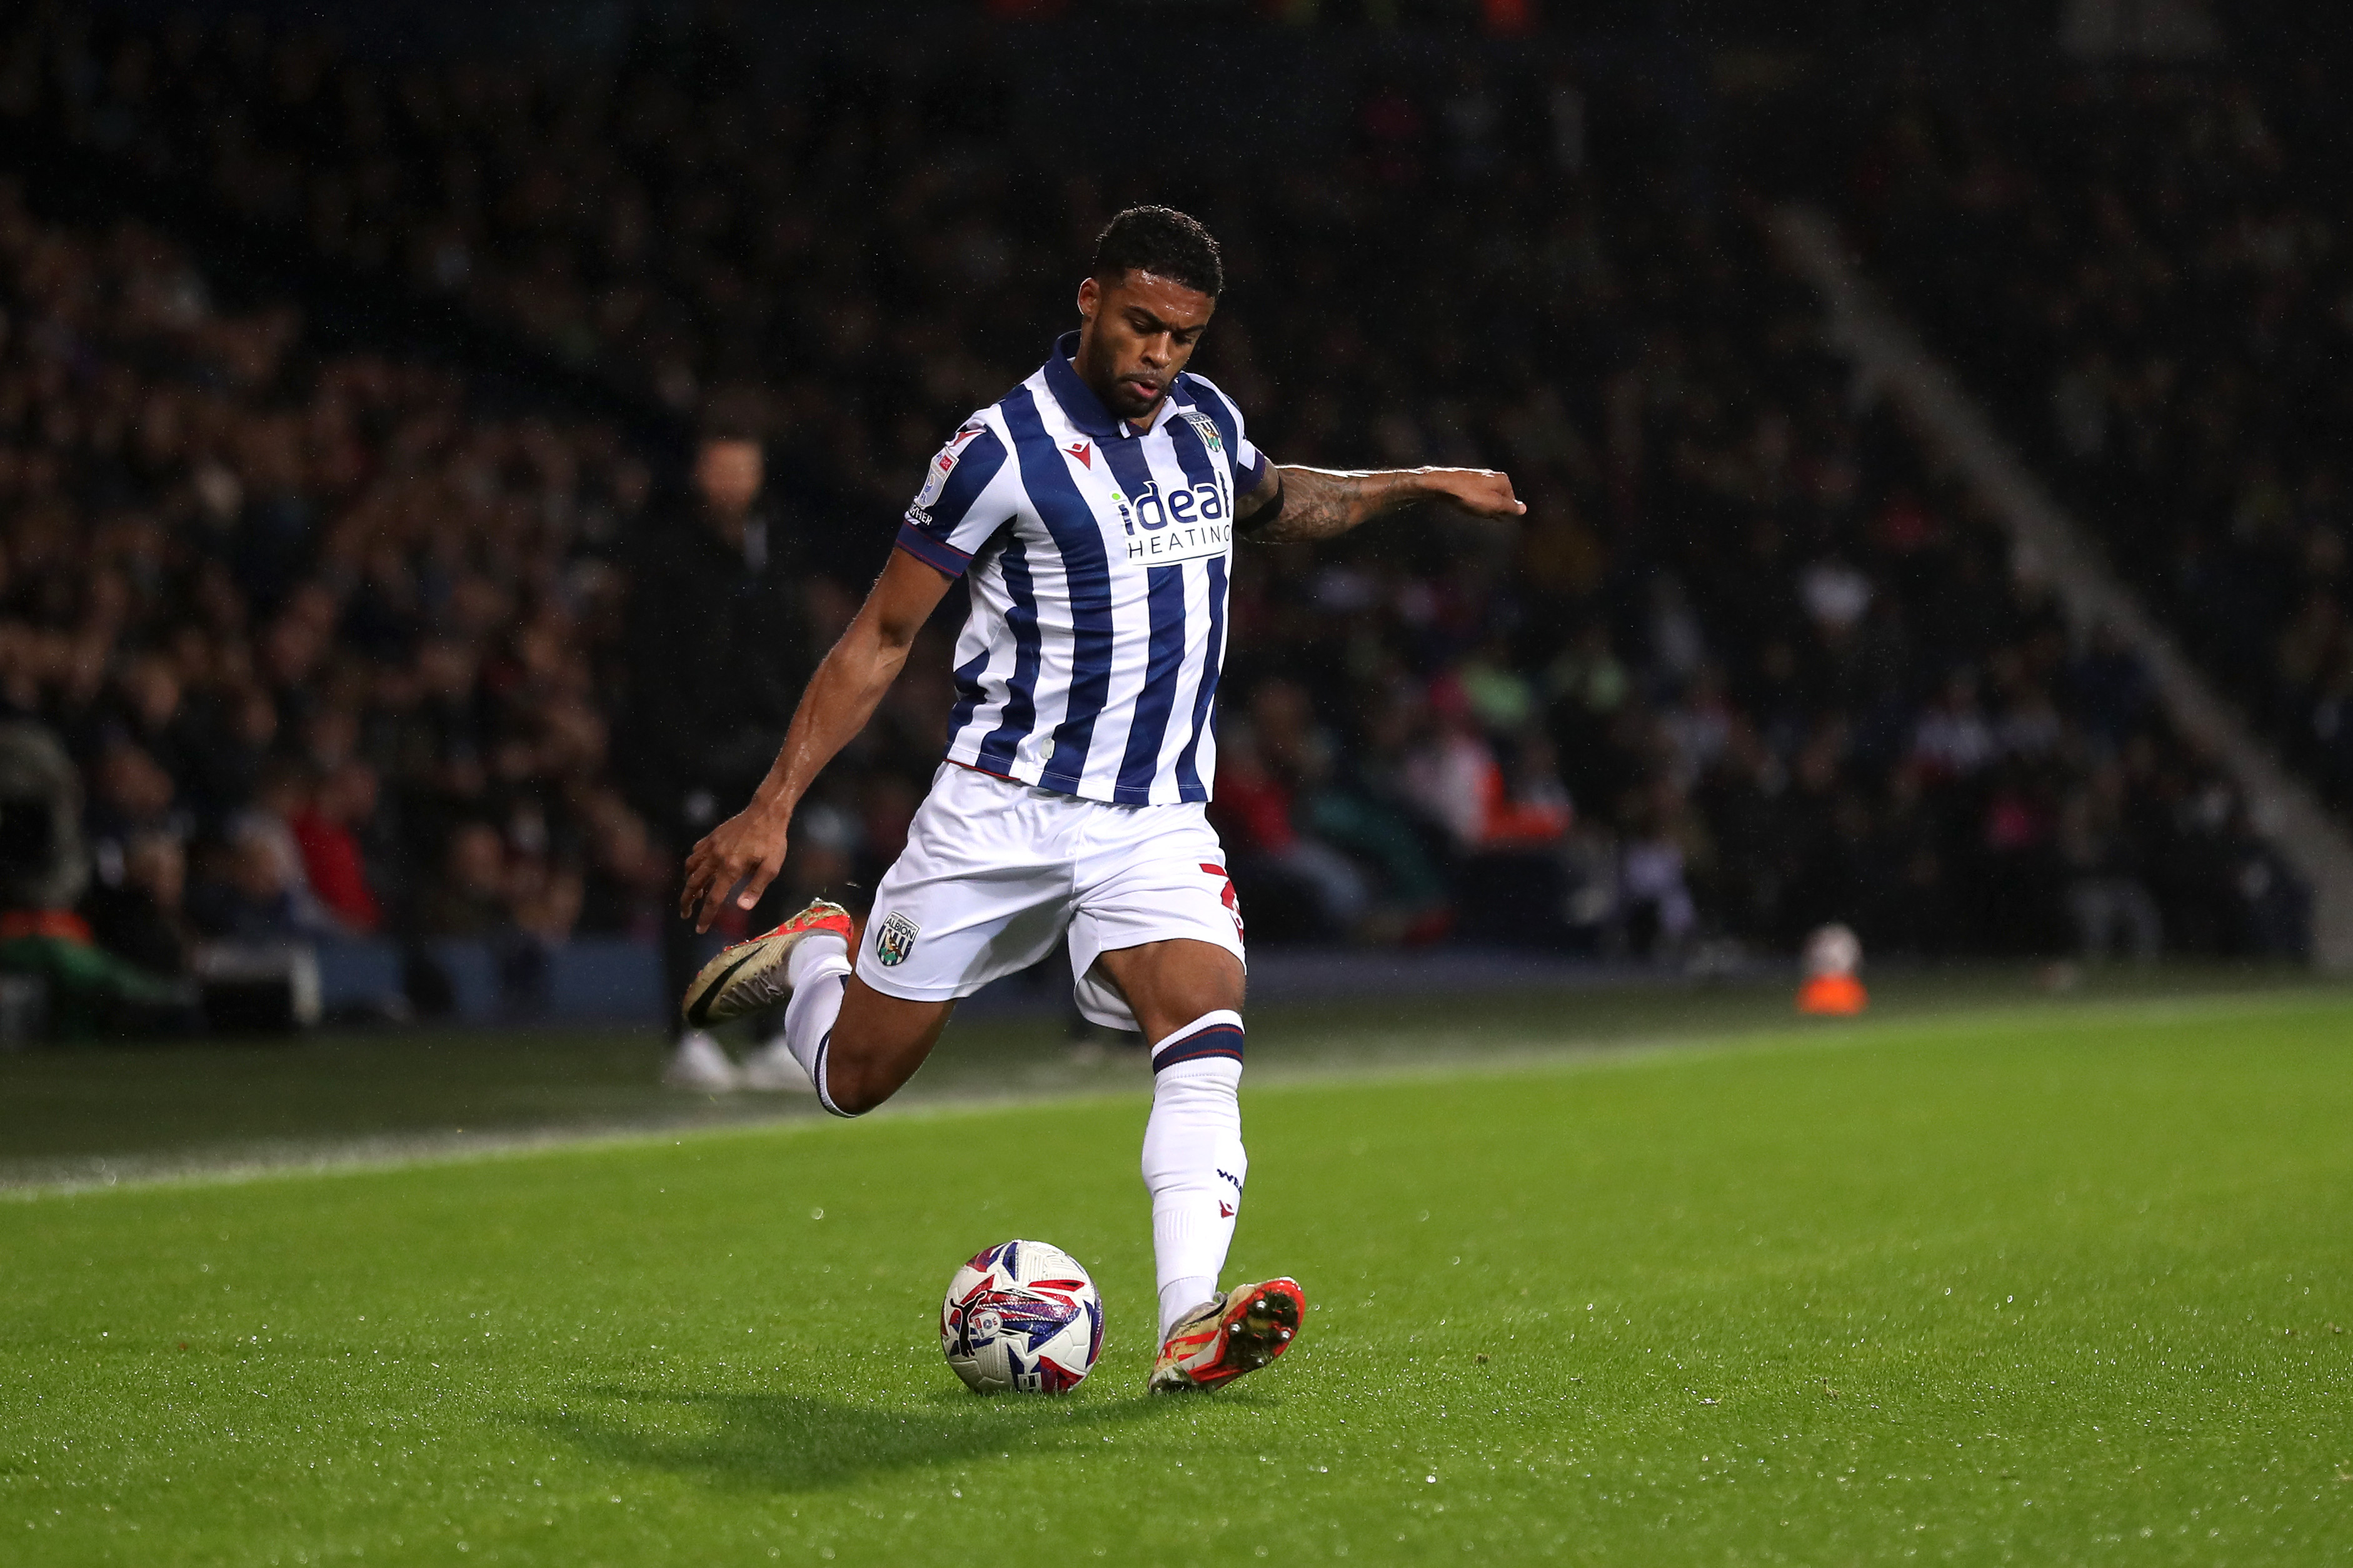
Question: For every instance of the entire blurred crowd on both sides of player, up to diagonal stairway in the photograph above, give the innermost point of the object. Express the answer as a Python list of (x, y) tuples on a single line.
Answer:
[(364, 638)]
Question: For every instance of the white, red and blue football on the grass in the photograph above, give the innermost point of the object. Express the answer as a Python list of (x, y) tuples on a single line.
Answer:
[(1022, 1318)]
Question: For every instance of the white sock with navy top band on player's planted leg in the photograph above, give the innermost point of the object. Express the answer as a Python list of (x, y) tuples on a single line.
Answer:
[(1194, 1158)]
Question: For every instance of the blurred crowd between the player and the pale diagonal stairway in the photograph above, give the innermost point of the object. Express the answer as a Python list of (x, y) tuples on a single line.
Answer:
[(1745, 671)]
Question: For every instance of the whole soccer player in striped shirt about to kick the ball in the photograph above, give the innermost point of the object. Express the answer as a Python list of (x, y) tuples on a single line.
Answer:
[(1093, 514)]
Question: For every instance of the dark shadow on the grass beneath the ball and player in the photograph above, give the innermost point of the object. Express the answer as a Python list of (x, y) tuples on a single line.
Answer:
[(801, 1442)]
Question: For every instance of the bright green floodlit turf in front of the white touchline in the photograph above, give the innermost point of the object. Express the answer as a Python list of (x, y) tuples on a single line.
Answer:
[(2037, 1287)]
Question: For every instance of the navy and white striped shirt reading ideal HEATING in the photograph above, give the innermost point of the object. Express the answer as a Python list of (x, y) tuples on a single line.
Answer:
[(1098, 565)]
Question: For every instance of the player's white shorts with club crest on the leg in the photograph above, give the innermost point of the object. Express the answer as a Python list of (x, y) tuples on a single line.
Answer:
[(996, 871)]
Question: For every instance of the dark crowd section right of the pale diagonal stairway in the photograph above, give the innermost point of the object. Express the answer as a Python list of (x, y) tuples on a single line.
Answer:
[(2154, 267)]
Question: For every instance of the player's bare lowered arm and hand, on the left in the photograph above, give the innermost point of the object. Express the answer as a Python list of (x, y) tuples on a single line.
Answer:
[(841, 697)]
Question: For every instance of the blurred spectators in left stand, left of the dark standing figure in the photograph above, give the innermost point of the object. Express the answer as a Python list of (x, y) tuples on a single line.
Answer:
[(321, 636)]
